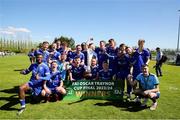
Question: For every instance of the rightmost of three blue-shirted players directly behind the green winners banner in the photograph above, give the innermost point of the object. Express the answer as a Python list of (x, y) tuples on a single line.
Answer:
[(106, 73)]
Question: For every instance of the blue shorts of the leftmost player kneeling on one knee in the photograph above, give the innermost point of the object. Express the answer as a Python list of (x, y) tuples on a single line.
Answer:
[(35, 87)]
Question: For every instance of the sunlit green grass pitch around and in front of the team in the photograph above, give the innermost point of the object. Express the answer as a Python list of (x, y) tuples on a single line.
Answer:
[(10, 79)]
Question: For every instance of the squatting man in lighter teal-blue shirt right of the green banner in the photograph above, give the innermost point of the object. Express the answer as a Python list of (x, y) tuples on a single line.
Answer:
[(149, 86)]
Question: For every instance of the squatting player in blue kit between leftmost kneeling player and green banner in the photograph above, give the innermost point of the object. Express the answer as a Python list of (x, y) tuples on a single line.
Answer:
[(54, 85)]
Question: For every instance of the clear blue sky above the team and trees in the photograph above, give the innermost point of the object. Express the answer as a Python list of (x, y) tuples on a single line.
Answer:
[(124, 20)]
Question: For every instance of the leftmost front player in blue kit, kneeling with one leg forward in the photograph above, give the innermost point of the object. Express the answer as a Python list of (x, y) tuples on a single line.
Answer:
[(40, 72)]
